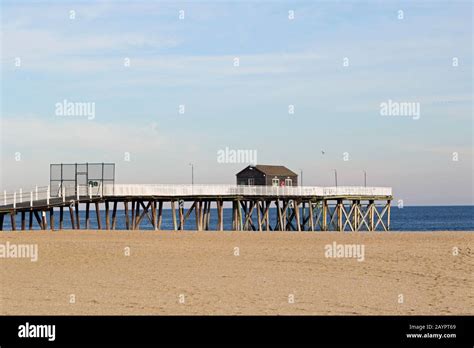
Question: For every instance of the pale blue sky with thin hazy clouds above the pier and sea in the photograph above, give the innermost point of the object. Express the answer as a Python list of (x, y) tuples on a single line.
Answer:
[(142, 63)]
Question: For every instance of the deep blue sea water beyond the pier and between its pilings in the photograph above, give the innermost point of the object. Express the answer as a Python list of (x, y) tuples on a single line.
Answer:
[(452, 218)]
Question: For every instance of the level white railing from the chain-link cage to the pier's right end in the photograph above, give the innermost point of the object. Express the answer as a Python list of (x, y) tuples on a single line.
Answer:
[(233, 190)]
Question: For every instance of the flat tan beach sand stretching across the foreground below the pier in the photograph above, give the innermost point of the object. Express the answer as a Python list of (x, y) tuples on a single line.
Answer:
[(274, 273)]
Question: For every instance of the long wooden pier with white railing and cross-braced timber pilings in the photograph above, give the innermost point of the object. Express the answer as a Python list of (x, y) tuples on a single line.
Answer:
[(348, 208)]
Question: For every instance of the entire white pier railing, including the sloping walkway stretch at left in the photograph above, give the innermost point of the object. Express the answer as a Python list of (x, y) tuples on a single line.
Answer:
[(44, 194)]
